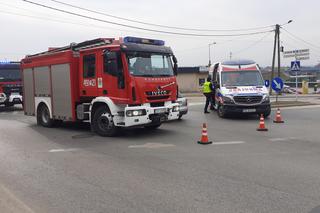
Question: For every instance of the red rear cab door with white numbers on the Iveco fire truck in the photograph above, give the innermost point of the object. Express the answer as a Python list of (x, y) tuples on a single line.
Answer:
[(88, 77)]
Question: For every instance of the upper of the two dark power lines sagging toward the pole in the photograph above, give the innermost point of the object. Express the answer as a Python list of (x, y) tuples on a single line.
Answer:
[(158, 25)]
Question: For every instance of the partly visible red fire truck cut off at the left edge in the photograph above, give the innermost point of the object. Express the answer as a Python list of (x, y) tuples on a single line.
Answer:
[(10, 83)]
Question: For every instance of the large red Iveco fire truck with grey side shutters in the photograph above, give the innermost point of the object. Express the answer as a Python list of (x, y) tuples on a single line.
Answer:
[(110, 83)]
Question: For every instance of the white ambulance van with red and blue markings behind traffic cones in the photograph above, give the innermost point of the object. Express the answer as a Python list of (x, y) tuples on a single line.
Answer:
[(239, 88)]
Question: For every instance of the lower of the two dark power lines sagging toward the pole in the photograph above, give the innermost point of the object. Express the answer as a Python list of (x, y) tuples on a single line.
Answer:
[(145, 29)]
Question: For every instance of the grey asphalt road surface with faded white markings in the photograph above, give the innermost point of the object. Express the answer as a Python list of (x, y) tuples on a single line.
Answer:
[(68, 169)]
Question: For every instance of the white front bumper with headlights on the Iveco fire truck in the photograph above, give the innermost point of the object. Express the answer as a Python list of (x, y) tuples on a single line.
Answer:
[(145, 114)]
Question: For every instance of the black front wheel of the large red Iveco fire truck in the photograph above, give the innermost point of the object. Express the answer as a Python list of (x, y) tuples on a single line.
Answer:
[(102, 122)]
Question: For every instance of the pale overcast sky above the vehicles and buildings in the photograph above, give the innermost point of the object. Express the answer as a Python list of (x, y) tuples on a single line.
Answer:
[(27, 29)]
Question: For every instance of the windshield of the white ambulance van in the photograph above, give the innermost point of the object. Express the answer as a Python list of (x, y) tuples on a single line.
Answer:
[(241, 78)]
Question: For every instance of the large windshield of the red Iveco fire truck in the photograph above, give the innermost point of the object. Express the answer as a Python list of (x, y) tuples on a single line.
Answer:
[(149, 64)]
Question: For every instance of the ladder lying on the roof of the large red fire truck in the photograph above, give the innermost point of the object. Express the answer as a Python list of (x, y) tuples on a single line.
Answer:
[(78, 46)]
